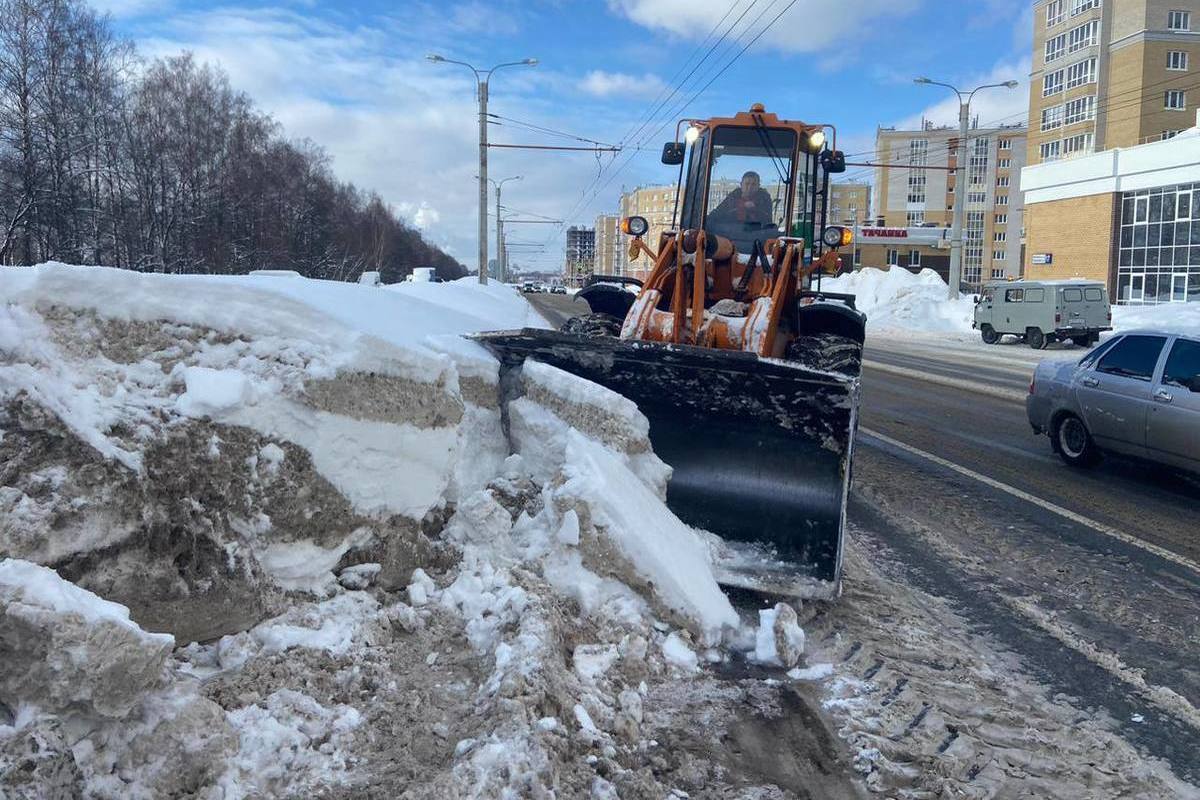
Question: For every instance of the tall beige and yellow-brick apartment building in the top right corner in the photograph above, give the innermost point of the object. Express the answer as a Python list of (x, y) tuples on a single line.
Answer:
[(1112, 74)]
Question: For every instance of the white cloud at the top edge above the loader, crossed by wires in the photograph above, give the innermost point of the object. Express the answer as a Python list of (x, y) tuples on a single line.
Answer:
[(808, 27)]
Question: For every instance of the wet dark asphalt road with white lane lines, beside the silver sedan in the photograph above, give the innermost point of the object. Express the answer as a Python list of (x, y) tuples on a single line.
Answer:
[(1093, 578)]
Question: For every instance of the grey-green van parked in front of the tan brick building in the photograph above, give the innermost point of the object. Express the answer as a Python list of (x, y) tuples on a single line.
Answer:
[(1042, 312)]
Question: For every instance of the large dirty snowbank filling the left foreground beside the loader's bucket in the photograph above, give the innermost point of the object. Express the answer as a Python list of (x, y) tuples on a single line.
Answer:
[(268, 537)]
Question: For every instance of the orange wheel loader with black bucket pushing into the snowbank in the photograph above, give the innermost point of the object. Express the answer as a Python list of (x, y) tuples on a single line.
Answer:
[(746, 370)]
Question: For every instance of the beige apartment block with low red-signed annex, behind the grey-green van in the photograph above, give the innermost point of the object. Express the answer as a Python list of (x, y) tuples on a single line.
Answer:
[(915, 188)]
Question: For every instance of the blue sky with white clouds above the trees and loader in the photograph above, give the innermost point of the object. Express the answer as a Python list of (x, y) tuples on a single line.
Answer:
[(353, 77)]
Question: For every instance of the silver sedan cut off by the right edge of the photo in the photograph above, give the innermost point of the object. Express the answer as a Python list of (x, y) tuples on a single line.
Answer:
[(1136, 395)]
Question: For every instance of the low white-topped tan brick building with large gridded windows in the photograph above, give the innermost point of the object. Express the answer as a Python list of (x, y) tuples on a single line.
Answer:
[(1130, 218)]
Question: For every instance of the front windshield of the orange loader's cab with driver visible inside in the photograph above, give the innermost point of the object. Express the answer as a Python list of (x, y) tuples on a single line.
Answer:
[(749, 182)]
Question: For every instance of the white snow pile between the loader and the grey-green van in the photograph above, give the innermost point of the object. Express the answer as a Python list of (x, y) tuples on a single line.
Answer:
[(901, 300)]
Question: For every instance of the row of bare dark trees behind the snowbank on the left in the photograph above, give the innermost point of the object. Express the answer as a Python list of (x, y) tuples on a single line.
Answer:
[(163, 167)]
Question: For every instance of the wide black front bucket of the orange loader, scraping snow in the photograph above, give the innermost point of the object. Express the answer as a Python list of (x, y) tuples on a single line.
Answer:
[(760, 449)]
